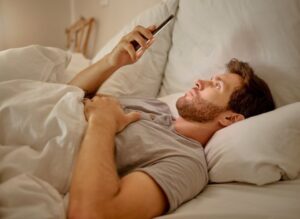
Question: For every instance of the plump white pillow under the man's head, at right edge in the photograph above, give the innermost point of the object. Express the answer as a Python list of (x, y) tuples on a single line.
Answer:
[(258, 150)]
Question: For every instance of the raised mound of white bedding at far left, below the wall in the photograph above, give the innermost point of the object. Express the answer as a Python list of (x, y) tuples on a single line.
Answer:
[(33, 63)]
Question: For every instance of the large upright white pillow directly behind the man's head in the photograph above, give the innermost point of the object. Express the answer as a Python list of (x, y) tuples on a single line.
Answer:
[(208, 33)]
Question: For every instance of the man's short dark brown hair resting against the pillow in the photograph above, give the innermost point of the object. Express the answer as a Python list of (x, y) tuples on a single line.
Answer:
[(254, 97)]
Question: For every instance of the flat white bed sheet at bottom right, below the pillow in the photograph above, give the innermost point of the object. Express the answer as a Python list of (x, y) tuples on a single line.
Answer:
[(243, 201)]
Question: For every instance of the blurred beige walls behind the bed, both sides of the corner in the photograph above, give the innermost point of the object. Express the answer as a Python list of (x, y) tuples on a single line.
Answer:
[(44, 22)]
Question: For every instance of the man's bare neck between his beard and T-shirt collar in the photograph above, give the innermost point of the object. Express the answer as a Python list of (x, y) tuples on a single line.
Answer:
[(198, 131)]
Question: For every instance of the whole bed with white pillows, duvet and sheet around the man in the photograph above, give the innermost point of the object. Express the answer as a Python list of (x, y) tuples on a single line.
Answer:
[(254, 165)]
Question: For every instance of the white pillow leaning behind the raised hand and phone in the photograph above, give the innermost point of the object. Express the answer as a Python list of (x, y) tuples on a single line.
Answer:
[(144, 77)]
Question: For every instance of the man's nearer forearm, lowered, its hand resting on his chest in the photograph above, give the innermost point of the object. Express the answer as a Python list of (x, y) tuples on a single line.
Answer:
[(95, 181)]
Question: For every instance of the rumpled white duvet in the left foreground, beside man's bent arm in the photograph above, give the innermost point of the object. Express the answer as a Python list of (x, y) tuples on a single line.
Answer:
[(42, 125)]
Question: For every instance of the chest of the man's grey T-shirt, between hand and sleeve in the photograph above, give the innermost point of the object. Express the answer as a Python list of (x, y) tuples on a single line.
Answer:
[(149, 141)]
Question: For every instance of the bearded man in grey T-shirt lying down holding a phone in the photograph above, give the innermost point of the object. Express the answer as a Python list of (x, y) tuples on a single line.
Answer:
[(157, 162)]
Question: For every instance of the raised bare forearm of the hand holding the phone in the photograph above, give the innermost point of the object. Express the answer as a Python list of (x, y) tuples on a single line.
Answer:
[(93, 77)]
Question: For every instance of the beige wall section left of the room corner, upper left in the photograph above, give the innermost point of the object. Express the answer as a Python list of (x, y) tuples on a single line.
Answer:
[(25, 22)]
